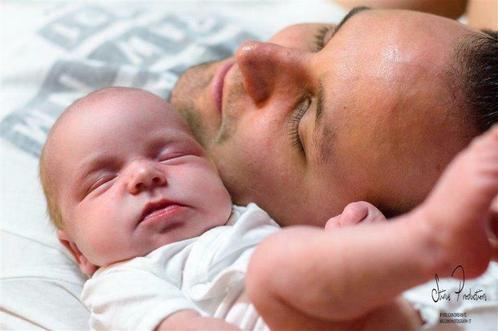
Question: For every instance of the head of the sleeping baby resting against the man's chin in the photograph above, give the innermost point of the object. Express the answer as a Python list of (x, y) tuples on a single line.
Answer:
[(123, 175)]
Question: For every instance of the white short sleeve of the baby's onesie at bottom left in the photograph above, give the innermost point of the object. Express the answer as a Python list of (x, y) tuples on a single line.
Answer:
[(128, 298)]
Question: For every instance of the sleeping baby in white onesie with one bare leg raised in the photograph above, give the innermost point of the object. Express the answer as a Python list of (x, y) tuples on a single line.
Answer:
[(142, 209)]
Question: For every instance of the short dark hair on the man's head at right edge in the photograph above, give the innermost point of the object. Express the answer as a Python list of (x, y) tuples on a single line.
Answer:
[(476, 59)]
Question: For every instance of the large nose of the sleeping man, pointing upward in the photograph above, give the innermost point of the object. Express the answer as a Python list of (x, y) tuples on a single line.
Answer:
[(267, 67)]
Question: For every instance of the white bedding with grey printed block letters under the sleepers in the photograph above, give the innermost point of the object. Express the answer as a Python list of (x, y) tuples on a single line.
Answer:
[(55, 52)]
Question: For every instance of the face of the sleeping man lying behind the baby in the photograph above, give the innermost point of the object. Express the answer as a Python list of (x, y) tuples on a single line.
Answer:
[(315, 118)]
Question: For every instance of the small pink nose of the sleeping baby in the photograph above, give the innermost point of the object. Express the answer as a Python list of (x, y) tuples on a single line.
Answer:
[(144, 175)]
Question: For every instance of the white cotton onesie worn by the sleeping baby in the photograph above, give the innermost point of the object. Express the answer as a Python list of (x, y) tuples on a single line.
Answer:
[(205, 274)]
